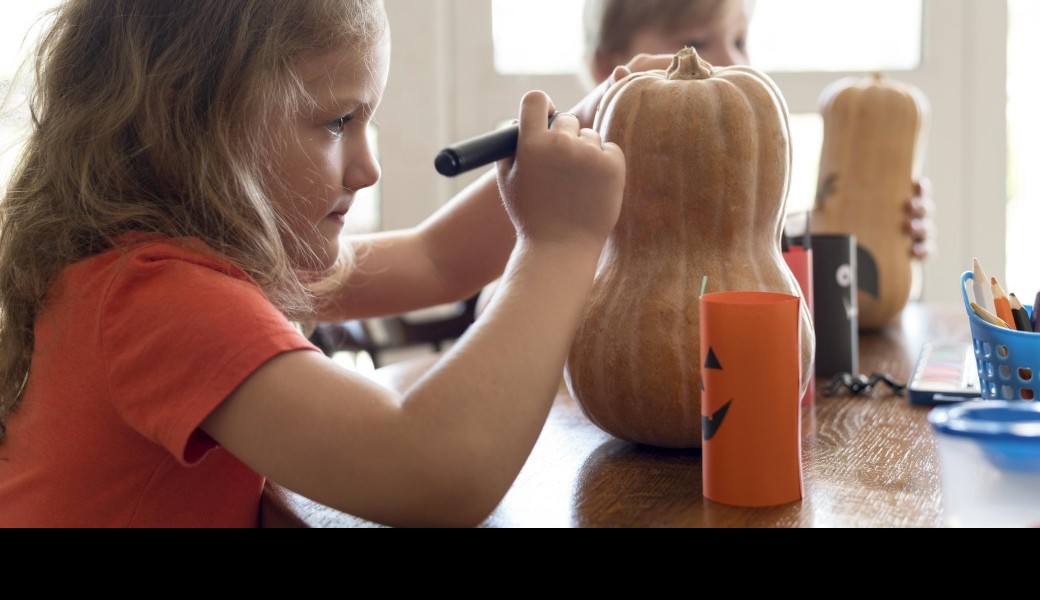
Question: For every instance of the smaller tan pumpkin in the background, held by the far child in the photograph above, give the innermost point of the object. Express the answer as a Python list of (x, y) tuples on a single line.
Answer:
[(871, 159)]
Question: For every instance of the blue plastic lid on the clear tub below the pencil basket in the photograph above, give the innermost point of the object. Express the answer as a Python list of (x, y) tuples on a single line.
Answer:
[(1008, 433)]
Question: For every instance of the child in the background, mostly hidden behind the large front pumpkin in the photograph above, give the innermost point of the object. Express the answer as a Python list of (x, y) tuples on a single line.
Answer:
[(615, 31)]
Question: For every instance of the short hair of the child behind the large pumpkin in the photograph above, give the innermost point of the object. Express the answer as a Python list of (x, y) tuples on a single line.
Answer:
[(610, 25)]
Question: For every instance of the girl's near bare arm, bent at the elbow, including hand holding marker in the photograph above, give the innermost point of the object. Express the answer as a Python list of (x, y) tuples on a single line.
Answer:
[(447, 452)]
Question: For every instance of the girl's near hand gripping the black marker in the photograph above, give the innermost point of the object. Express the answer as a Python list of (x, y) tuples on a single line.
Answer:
[(565, 185)]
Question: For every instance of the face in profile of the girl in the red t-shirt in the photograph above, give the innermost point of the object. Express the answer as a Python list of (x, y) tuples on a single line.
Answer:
[(328, 156)]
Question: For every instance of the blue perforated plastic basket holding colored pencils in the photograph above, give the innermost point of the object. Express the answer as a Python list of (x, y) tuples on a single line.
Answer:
[(1009, 361)]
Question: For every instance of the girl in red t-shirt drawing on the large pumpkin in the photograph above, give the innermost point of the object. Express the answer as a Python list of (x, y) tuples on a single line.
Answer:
[(185, 188)]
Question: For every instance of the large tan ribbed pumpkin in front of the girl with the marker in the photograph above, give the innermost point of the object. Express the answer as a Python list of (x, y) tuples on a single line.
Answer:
[(709, 162)]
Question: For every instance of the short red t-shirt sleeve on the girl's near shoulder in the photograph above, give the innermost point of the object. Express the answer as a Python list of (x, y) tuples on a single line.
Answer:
[(180, 333)]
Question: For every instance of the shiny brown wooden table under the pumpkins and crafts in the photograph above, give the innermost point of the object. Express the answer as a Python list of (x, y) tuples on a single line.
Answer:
[(869, 462)]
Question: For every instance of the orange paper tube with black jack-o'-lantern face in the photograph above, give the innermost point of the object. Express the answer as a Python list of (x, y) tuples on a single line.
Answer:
[(751, 418)]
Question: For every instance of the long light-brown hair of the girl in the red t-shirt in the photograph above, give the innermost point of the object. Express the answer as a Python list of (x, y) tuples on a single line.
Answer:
[(155, 116)]
